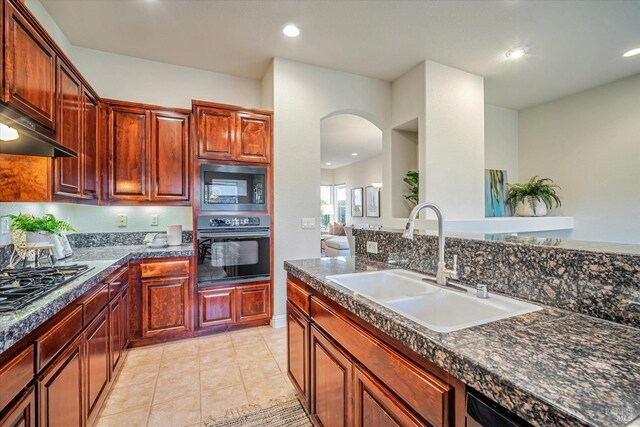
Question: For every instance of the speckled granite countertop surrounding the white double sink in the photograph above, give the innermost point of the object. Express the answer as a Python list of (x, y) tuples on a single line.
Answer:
[(551, 367)]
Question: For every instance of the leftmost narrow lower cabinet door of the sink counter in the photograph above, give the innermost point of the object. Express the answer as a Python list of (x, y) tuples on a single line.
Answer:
[(298, 351)]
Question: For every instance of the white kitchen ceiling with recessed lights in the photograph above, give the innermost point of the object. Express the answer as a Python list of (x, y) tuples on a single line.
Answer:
[(573, 45)]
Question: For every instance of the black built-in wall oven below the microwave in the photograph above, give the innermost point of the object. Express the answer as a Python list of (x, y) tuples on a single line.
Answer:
[(233, 249)]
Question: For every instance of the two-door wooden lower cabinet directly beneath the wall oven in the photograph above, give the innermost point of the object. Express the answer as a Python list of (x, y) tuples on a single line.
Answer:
[(235, 304)]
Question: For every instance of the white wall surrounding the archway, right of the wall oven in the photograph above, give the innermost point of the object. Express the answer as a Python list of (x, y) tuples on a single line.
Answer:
[(303, 95)]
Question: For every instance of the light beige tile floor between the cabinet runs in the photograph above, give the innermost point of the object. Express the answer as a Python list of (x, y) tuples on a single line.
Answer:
[(183, 383)]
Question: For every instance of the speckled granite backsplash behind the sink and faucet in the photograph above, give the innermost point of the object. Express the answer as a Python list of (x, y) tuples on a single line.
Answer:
[(597, 284)]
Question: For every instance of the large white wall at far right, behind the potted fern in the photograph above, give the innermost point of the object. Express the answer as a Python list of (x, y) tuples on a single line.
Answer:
[(589, 144)]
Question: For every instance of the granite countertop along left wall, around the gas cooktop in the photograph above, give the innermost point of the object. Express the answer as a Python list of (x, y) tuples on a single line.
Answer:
[(103, 261)]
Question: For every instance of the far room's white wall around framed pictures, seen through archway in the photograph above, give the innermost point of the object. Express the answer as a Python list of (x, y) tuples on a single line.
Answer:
[(359, 174)]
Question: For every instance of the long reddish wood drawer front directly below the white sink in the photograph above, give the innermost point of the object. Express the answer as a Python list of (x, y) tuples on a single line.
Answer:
[(418, 389)]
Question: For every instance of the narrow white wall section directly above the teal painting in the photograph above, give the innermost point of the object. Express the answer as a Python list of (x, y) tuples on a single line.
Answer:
[(501, 140)]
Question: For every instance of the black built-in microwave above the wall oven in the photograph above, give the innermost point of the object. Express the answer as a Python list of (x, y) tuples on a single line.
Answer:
[(233, 188)]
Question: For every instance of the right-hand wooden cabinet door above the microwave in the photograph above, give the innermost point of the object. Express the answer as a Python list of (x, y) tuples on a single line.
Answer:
[(254, 137)]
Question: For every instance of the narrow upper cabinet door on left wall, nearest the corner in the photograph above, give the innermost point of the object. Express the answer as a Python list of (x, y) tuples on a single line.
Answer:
[(90, 145)]
